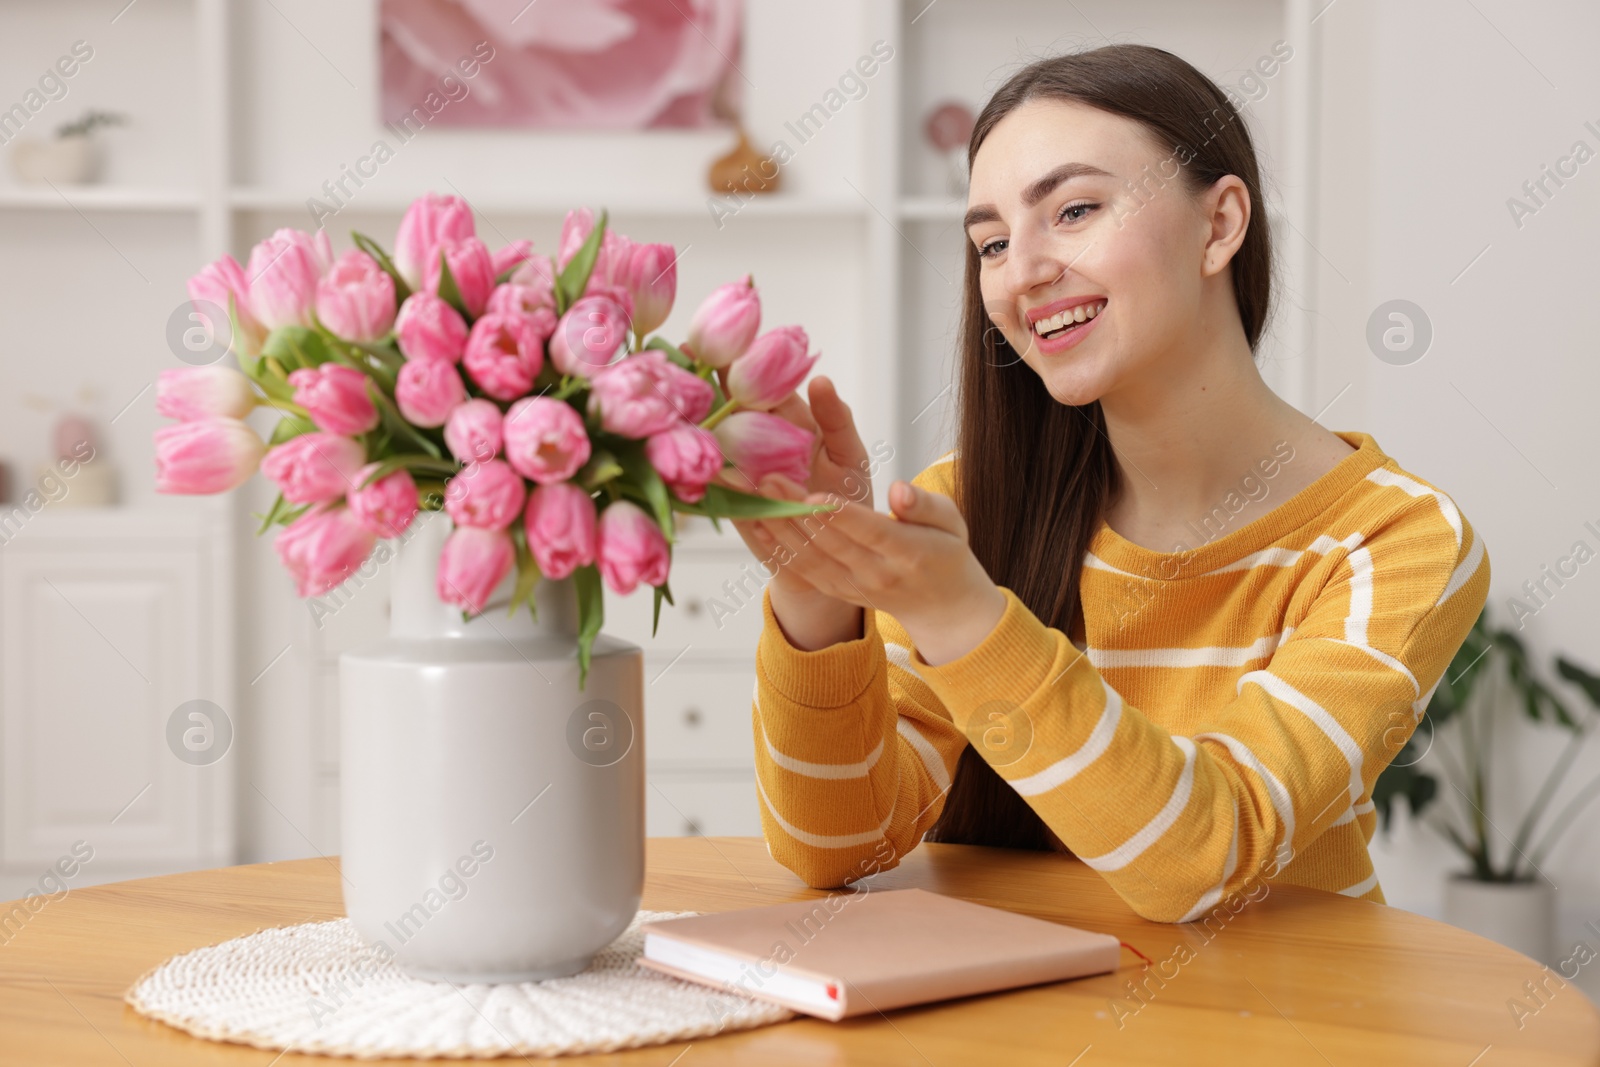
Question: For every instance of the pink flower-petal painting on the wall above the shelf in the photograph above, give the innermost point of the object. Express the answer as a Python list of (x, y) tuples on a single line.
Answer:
[(561, 65)]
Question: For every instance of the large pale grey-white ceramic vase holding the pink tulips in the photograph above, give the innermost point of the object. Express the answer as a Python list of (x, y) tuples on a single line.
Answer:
[(492, 813)]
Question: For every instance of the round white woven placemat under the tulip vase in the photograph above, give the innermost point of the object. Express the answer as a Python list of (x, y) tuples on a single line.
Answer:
[(319, 988)]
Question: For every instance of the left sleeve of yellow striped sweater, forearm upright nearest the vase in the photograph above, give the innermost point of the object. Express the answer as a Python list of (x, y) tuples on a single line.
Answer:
[(854, 751)]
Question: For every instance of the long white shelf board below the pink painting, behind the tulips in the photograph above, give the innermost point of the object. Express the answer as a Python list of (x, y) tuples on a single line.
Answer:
[(778, 206)]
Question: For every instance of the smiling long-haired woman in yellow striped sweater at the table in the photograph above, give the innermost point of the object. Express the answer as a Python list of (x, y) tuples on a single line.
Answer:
[(966, 669)]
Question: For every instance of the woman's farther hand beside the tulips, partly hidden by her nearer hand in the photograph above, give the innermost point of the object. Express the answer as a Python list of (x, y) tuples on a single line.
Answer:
[(810, 618)]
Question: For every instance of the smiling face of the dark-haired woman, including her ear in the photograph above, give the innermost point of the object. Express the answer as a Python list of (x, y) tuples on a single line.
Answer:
[(1076, 214)]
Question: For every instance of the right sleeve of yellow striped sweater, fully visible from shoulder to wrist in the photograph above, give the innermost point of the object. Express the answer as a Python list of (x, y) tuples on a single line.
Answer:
[(1175, 823)]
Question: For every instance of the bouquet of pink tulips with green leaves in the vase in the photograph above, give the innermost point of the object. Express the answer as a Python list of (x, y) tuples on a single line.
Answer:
[(522, 396)]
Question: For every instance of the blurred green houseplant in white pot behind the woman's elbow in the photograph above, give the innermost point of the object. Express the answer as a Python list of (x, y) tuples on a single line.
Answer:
[(1503, 895)]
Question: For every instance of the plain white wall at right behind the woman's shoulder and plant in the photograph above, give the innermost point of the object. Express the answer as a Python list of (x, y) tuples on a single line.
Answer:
[(1434, 116)]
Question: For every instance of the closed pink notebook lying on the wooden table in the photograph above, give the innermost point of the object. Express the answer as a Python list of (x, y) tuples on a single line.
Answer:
[(862, 953)]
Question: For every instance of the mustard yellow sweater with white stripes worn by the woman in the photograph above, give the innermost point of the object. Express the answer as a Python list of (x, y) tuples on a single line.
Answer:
[(1220, 722)]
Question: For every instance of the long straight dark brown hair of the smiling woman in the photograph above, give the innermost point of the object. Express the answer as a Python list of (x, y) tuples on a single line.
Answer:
[(1036, 473)]
